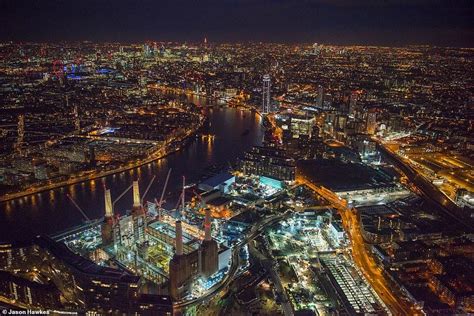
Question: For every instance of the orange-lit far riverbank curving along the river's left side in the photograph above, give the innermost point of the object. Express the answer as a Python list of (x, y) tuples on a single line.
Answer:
[(160, 153)]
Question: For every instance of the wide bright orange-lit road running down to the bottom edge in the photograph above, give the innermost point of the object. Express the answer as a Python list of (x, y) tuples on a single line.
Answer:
[(362, 257)]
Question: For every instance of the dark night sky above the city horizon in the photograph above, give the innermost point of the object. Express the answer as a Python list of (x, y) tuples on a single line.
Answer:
[(370, 22)]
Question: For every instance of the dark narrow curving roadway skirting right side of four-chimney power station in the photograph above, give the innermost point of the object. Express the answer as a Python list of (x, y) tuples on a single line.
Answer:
[(235, 262)]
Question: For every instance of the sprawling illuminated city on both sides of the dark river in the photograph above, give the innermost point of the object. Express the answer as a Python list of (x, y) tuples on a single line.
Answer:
[(359, 199)]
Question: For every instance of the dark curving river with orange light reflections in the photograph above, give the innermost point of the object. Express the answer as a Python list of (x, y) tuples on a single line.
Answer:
[(49, 212)]
